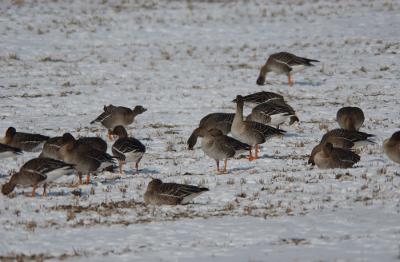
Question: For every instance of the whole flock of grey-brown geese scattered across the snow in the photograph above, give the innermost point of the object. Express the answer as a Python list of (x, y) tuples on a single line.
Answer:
[(65, 155)]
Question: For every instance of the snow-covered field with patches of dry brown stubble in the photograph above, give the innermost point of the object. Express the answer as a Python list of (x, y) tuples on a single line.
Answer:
[(61, 61)]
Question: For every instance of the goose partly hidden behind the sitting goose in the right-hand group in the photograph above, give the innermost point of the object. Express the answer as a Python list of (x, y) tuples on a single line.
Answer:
[(342, 138)]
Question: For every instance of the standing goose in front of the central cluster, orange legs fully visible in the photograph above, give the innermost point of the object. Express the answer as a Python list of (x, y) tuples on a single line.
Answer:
[(221, 147)]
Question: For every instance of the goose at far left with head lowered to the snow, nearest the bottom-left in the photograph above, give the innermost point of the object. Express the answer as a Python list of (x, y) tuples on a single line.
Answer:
[(38, 171)]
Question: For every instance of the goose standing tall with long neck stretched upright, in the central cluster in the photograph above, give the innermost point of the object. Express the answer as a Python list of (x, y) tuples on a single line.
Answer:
[(249, 132)]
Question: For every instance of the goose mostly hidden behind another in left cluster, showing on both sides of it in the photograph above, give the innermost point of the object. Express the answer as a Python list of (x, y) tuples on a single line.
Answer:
[(51, 149)]
